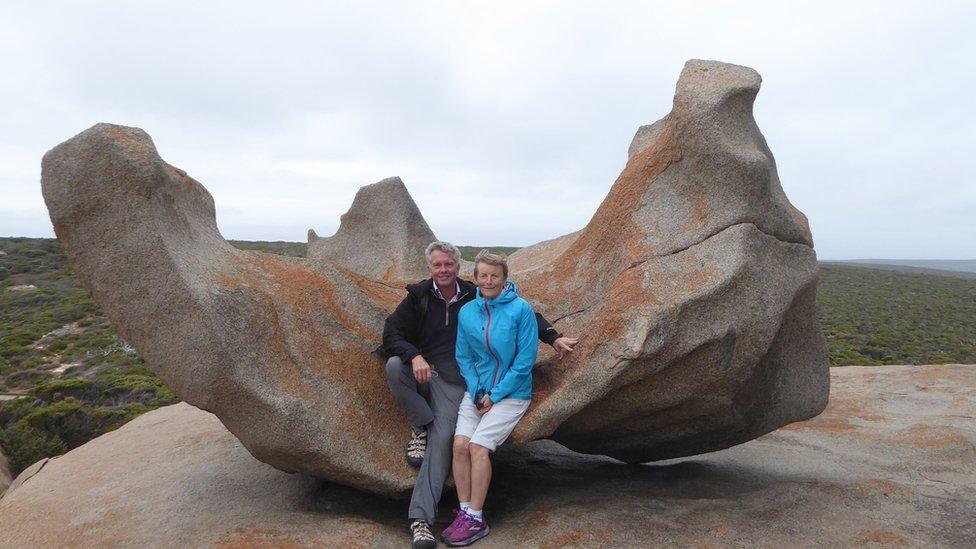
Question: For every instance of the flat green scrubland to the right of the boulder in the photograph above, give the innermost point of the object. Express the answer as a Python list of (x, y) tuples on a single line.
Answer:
[(873, 316)]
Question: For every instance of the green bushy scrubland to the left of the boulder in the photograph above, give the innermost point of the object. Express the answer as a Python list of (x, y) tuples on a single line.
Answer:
[(77, 378)]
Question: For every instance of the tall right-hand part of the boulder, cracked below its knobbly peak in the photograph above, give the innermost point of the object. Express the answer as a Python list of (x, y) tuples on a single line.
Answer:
[(693, 288)]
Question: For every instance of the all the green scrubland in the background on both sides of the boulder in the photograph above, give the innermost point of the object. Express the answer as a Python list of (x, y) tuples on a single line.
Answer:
[(77, 379)]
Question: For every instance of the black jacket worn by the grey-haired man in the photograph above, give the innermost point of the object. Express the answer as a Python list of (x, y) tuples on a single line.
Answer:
[(420, 325)]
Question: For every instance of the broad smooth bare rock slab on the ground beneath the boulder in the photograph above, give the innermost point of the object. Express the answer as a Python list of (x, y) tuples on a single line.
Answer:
[(891, 462)]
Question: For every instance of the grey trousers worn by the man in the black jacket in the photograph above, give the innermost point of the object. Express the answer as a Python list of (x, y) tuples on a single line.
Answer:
[(438, 411)]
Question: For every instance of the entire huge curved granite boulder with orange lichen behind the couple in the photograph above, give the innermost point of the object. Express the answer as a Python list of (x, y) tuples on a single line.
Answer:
[(692, 288)]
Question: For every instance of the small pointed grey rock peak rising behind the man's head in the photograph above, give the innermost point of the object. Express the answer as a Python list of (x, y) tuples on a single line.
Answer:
[(379, 237)]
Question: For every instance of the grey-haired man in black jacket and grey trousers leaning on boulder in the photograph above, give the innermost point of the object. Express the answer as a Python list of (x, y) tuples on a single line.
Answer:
[(419, 339)]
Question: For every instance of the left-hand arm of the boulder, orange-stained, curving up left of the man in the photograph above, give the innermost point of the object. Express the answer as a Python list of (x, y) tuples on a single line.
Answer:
[(278, 349)]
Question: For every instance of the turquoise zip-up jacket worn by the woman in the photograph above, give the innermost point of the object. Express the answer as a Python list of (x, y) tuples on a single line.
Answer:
[(497, 342)]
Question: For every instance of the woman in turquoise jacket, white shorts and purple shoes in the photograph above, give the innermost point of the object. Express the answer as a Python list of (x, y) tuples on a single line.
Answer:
[(496, 348)]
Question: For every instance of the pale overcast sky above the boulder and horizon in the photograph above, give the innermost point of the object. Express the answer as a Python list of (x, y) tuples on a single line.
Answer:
[(525, 108)]
